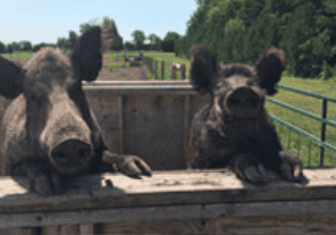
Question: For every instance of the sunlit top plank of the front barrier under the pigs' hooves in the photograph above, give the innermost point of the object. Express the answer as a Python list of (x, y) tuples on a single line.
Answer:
[(163, 188)]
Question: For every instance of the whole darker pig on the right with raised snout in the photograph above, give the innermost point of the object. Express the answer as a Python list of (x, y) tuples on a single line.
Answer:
[(234, 129)]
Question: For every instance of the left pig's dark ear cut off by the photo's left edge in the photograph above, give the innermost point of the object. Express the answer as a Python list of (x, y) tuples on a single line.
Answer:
[(11, 77)]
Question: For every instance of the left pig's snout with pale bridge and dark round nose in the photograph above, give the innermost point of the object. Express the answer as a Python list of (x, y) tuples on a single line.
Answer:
[(67, 139)]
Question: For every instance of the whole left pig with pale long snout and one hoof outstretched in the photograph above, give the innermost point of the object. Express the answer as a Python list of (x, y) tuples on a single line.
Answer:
[(50, 134)]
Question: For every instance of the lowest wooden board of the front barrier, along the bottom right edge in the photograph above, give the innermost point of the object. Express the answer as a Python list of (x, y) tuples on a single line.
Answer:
[(279, 224)]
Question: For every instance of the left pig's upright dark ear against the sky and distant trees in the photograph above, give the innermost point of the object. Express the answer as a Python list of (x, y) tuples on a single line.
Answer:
[(87, 57)]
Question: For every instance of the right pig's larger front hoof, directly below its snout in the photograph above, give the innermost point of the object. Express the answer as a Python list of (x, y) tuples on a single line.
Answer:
[(249, 168)]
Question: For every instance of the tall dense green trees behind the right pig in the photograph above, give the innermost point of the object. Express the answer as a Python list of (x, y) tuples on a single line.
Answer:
[(239, 30)]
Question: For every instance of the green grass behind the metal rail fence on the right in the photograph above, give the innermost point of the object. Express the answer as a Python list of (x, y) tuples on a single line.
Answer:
[(308, 151)]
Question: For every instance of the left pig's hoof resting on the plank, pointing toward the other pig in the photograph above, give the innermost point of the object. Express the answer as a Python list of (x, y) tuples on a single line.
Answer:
[(134, 166)]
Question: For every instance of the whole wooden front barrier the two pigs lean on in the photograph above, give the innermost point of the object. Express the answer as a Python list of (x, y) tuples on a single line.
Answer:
[(172, 202)]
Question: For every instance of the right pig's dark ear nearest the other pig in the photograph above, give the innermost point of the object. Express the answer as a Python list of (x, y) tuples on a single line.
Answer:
[(203, 68)]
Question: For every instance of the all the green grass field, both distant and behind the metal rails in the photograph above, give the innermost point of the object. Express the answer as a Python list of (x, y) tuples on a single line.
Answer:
[(308, 151)]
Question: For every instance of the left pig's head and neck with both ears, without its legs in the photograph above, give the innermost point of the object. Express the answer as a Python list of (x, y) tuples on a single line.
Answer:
[(52, 105)]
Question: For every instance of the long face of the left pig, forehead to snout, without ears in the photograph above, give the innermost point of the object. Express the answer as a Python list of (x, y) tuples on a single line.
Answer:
[(55, 122)]
